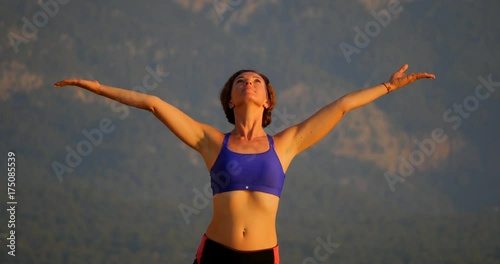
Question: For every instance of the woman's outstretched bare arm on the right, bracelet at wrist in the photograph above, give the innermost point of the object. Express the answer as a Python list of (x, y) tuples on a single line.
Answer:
[(304, 135)]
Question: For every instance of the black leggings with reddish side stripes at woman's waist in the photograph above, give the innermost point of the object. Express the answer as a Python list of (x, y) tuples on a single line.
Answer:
[(211, 252)]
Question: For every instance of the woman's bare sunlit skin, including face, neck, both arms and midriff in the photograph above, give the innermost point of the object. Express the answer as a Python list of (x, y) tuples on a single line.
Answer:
[(246, 220)]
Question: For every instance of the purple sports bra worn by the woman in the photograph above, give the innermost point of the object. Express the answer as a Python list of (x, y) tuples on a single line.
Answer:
[(253, 172)]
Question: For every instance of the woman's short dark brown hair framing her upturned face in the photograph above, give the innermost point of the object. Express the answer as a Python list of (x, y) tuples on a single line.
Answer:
[(225, 97)]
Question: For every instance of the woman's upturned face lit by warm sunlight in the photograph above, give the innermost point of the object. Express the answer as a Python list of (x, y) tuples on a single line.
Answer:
[(249, 87)]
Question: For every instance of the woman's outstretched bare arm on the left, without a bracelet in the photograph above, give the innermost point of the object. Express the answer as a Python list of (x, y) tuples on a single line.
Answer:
[(194, 134)]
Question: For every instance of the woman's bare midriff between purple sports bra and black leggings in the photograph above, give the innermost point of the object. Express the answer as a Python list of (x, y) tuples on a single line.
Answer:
[(244, 220)]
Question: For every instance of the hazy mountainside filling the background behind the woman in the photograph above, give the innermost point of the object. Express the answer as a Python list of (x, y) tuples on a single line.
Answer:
[(410, 178)]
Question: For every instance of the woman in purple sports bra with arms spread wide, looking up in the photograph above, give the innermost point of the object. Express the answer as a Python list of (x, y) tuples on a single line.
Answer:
[(247, 166)]
